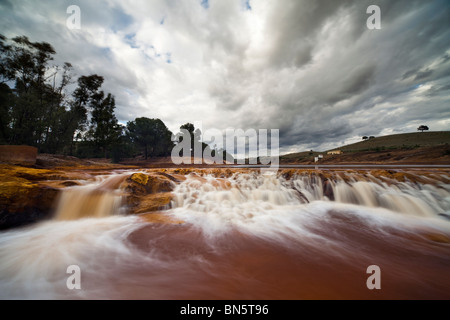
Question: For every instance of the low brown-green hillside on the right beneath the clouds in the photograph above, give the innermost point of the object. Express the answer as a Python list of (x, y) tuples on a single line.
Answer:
[(426, 147)]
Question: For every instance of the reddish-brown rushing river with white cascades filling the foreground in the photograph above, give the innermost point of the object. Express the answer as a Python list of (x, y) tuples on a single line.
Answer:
[(249, 236)]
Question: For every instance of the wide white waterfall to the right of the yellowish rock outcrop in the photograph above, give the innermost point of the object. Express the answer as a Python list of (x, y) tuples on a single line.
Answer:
[(249, 191)]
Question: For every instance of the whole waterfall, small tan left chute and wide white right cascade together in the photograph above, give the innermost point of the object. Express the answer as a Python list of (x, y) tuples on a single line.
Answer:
[(249, 192)]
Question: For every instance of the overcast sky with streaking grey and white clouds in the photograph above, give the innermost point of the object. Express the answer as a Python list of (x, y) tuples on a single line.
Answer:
[(311, 69)]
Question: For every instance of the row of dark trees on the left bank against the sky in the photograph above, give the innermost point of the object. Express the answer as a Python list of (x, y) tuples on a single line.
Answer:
[(39, 108)]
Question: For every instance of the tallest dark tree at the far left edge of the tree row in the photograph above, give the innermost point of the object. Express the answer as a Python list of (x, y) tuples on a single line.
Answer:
[(33, 107)]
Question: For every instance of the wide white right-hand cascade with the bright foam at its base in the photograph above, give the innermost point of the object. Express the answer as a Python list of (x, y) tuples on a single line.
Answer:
[(270, 206)]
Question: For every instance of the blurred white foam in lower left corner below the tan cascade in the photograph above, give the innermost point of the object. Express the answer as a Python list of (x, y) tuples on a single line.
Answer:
[(34, 260)]
